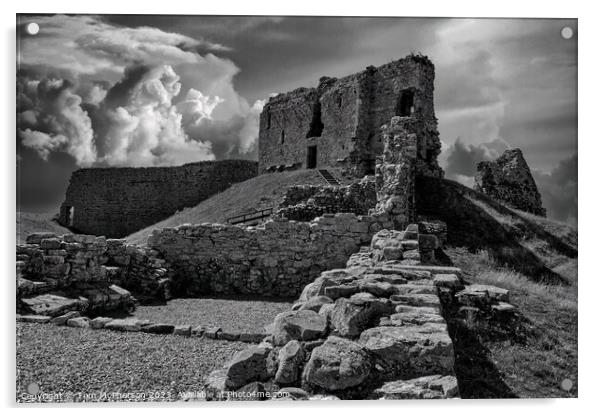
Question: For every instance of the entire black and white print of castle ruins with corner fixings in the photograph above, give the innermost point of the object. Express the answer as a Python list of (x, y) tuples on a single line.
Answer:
[(292, 208)]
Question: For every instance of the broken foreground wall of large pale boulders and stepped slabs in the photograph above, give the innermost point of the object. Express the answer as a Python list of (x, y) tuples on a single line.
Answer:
[(372, 330)]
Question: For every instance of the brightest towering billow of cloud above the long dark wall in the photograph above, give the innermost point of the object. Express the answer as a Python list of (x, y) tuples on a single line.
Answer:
[(140, 124)]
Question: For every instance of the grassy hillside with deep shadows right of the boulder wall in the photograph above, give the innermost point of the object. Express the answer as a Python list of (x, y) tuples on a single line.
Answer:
[(536, 259)]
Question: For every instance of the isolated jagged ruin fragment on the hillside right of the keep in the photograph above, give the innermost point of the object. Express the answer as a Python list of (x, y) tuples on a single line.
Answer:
[(508, 180)]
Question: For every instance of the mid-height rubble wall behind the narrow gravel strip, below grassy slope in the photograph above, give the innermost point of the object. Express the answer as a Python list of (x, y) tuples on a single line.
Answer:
[(275, 259)]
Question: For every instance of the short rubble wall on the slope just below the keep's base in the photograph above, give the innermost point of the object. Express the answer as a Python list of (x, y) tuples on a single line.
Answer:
[(306, 202)]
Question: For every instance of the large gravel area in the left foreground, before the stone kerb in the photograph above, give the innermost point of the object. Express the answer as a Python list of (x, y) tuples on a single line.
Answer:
[(141, 367)]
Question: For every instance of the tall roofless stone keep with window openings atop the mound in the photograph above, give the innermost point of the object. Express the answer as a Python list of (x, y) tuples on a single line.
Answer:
[(337, 124)]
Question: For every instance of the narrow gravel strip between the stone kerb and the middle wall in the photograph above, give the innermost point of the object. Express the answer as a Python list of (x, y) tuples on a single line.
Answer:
[(229, 314)]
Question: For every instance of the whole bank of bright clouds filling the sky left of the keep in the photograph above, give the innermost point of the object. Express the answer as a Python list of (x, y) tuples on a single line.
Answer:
[(147, 97)]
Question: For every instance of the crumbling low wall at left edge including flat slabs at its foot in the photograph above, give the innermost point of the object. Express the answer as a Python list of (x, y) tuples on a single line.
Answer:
[(74, 272)]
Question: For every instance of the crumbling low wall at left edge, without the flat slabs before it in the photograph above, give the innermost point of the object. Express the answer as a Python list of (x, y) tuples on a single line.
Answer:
[(79, 262)]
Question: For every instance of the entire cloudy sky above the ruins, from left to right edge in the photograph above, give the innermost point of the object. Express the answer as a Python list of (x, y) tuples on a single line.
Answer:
[(131, 90)]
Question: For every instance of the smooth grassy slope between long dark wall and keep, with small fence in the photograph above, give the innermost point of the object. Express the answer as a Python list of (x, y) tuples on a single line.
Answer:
[(261, 192)]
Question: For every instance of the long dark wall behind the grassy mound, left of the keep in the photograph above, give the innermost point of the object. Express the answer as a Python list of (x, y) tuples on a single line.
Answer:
[(116, 202)]
